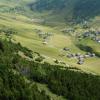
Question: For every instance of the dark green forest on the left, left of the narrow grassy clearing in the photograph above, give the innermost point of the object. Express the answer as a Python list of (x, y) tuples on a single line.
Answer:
[(13, 85)]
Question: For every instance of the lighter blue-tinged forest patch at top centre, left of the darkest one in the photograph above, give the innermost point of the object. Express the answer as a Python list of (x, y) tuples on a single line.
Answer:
[(41, 5)]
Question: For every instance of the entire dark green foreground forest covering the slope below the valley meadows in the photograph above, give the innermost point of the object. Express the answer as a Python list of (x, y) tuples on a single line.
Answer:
[(17, 74)]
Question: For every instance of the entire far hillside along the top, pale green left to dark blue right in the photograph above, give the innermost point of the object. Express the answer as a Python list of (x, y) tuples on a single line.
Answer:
[(68, 9)]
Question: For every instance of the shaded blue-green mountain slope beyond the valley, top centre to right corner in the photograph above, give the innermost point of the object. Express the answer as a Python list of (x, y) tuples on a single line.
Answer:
[(69, 9)]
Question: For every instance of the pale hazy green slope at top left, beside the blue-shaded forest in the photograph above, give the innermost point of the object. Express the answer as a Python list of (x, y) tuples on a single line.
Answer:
[(15, 6)]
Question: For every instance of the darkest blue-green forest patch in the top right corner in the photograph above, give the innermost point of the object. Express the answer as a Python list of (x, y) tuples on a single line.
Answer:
[(87, 9)]
